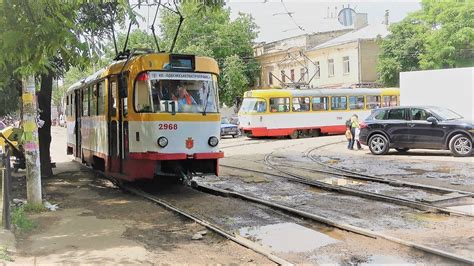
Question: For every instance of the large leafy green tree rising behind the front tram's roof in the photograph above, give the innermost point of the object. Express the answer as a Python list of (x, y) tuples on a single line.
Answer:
[(209, 31)]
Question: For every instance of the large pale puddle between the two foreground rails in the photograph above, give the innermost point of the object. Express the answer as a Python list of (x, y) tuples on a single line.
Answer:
[(287, 237)]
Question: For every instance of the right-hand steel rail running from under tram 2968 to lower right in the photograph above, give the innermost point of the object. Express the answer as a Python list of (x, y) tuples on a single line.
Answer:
[(346, 227)]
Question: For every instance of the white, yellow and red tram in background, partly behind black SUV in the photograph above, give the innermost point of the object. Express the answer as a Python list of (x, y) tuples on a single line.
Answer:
[(308, 112)]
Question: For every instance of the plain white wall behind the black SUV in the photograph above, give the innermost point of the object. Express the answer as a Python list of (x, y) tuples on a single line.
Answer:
[(450, 88)]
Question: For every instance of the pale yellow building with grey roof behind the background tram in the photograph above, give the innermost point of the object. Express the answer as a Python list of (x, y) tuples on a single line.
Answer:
[(329, 59)]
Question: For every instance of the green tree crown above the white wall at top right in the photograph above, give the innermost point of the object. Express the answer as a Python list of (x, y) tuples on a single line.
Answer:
[(440, 35)]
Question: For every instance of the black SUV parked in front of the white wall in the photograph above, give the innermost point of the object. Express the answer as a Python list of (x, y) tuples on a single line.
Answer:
[(424, 127)]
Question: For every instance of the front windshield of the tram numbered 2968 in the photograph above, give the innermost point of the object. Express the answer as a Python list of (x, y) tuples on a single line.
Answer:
[(176, 92)]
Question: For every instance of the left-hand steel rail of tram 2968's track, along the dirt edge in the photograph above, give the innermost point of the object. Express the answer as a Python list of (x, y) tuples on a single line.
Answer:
[(239, 240)]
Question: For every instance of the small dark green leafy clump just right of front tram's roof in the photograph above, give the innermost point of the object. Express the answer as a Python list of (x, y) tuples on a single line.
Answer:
[(234, 79)]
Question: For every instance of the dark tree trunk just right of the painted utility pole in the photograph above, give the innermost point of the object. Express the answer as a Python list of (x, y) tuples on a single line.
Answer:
[(44, 102)]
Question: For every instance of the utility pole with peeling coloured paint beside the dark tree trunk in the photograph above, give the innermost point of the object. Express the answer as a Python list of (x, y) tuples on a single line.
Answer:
[(30, 142)]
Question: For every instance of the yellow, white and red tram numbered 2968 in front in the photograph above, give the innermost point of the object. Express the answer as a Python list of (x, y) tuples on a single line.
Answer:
[(151, 115)]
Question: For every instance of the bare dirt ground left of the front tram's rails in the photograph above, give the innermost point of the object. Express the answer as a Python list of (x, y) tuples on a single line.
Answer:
[(99, 224)]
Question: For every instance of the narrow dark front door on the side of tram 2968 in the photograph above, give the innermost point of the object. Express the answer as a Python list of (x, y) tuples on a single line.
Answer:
[(114, 127)]
